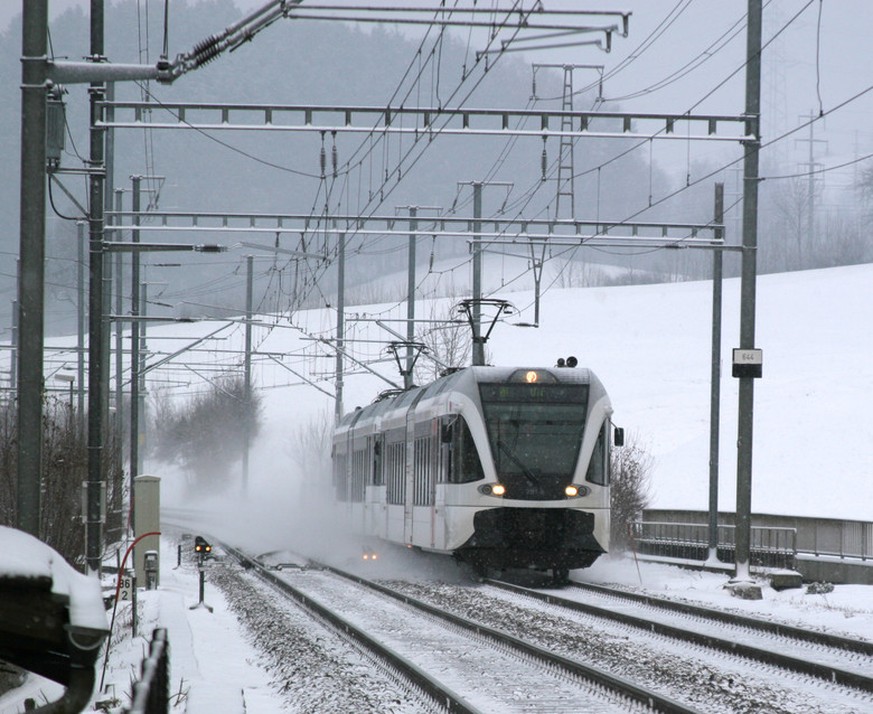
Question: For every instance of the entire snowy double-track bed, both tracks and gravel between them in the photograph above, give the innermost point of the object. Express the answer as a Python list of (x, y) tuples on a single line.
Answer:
[(499, 647)]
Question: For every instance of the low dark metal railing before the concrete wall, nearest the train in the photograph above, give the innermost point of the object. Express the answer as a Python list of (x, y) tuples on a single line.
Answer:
[(774, 547)]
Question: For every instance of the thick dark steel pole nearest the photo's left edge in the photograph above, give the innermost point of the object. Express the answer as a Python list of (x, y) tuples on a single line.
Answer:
[(31, 286)]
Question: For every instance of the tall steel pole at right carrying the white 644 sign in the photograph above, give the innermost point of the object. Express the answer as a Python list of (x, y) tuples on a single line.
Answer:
[(747, 288)]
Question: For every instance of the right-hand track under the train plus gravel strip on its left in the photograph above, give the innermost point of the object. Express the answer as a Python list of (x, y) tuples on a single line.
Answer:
[(712, 660)]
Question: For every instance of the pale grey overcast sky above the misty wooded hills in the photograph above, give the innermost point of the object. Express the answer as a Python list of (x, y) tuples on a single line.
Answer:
[(819, 60)]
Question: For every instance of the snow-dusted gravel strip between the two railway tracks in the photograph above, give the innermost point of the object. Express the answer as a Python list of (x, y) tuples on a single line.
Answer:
[(710, 681)]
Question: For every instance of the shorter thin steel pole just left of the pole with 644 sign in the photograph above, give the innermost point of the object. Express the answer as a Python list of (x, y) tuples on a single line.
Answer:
[(715, 378)]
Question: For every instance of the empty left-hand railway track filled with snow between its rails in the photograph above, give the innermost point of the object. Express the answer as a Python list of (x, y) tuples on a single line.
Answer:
[(462, 665)]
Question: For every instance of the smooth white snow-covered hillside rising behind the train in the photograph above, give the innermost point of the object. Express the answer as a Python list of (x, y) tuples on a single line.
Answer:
[(651, 347)]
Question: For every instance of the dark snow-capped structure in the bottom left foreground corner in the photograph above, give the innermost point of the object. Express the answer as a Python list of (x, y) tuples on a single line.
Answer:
[(52, 618)]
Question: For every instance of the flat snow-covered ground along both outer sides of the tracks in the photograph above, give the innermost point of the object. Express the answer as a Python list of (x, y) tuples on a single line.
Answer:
[(216, 668)]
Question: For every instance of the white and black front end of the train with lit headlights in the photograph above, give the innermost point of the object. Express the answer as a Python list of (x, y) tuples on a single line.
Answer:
[(544, 448)]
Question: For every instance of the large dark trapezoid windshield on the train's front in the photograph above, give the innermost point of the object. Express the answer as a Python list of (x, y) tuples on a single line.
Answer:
[(535, 431)]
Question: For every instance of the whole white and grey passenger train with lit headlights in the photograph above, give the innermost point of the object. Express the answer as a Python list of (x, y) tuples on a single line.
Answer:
[(500, 467)]
